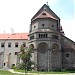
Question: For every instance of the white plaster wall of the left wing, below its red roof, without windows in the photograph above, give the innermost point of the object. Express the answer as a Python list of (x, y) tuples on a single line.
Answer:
[(7, 50)]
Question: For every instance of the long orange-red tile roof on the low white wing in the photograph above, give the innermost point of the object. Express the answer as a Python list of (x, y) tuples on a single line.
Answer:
[(14, 36)]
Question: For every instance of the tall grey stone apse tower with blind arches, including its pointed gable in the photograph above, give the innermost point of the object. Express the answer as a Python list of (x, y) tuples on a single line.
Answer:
[(44, 37)]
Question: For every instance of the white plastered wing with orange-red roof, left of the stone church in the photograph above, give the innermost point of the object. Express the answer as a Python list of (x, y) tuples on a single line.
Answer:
[(9, 48)]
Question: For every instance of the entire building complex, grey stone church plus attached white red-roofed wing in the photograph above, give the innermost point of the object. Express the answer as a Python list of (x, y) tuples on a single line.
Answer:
[(51, 48)]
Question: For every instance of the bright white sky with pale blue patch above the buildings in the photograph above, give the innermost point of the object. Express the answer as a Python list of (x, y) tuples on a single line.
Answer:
[(17, 14)]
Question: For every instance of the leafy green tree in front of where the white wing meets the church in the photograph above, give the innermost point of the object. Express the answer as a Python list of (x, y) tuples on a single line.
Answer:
[(25, 55)]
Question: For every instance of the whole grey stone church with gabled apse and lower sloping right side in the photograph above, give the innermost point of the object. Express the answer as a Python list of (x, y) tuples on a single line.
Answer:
[(51, 48)]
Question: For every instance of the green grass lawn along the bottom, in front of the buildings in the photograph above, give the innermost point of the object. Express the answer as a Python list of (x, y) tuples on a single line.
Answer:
[(4, 72)]
